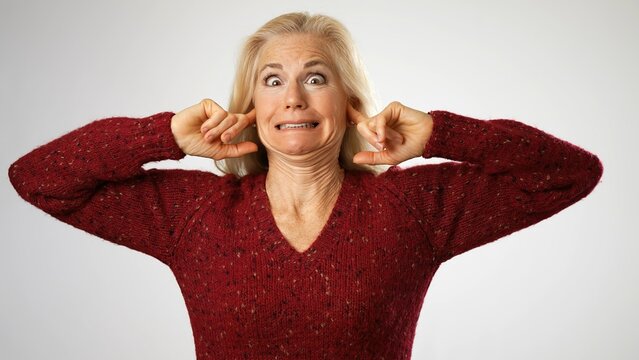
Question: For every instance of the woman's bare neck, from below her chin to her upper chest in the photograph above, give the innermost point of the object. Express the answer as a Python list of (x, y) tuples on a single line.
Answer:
[(301, 185)]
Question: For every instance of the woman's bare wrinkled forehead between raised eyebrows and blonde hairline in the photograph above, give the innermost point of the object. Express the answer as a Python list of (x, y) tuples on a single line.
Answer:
[(293, 49)]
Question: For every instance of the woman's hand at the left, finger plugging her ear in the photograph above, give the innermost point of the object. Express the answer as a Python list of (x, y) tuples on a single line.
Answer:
[(205, 129)]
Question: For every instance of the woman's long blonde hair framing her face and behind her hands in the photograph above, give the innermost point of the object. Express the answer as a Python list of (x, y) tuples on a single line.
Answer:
[(341, 50)]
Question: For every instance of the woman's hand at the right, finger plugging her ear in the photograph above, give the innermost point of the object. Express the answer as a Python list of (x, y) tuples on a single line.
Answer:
[(398, 132)]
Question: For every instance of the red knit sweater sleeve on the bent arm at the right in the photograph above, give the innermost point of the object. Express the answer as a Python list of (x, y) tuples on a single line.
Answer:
[(505, 176)]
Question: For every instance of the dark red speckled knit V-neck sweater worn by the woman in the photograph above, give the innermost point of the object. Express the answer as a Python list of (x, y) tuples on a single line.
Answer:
[(357, 292)]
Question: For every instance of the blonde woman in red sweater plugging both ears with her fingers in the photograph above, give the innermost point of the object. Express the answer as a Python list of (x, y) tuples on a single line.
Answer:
[(305, 249)]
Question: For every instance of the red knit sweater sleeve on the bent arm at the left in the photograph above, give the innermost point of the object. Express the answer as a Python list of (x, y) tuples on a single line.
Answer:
[(92, 178)]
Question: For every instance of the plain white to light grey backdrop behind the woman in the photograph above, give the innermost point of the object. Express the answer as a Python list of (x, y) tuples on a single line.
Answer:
[(565, 288)]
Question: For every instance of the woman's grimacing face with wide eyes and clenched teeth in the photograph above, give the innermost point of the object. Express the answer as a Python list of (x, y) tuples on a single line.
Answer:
[(299, 101)]
